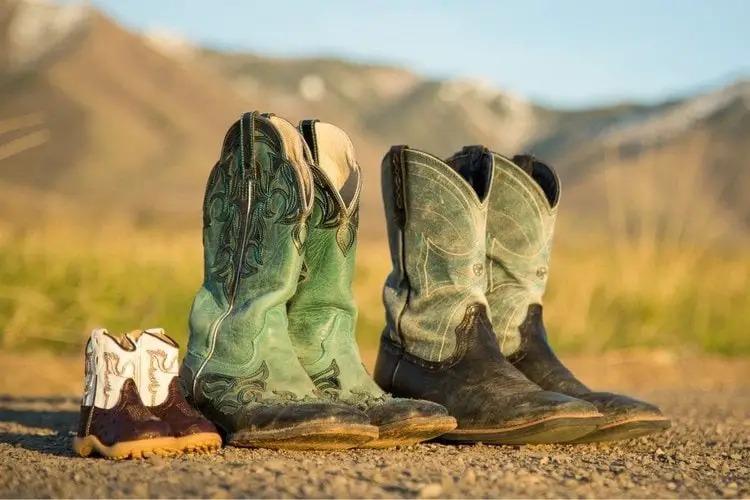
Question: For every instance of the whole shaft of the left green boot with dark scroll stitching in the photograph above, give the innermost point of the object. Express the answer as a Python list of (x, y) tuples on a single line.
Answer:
[(258, 199)]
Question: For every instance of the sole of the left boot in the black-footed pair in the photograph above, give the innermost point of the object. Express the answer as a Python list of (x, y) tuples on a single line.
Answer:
[(555, 429)]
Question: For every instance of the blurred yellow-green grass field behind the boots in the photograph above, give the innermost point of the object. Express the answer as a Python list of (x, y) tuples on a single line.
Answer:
[(58, 282)]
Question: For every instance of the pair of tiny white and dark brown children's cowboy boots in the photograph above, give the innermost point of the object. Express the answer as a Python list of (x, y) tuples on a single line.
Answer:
[(132, 404)]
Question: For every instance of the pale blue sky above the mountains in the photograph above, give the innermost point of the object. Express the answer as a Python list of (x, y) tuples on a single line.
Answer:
[(563, 52)]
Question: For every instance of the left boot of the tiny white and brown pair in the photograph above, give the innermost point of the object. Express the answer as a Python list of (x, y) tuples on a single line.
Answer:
[(114, 423)]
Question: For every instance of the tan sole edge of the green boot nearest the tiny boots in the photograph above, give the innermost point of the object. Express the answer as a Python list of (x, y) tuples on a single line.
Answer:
[(313, 436)]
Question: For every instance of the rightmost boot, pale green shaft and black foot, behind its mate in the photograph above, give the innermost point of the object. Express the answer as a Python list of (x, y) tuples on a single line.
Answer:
[(522, 211)]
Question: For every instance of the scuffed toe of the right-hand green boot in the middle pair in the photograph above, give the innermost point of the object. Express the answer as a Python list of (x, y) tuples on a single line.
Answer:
[(403, 422)]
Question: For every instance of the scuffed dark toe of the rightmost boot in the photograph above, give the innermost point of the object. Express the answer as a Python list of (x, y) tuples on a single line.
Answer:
[(624, 418)]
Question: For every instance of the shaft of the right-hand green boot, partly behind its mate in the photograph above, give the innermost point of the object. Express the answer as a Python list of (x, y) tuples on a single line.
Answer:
[(323, 311)]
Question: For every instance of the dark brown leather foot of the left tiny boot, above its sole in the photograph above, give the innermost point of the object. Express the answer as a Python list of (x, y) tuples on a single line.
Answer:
[(127, 420)]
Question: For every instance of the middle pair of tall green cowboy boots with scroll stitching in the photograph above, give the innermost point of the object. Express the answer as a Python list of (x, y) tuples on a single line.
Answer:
[(272, 358)]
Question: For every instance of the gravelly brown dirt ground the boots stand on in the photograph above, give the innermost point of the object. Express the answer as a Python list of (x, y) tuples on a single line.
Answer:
[(705, 454)]
